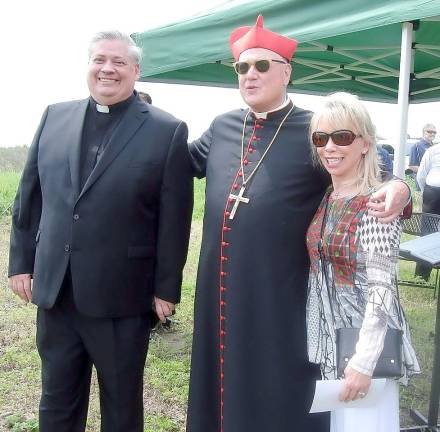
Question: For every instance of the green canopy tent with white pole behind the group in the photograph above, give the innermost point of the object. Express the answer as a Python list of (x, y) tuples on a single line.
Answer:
[(372, 48)]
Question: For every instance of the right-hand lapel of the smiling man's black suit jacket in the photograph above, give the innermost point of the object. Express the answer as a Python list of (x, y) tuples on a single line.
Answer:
[(129, 124)]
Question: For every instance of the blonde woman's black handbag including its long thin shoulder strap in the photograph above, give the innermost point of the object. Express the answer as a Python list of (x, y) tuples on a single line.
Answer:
[(389, 364)]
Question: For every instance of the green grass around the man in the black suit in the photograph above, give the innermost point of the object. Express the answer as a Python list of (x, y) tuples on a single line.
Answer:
[(168, 361)]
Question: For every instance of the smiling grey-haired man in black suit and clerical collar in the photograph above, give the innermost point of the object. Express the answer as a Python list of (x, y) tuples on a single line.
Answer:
[(100, 232)]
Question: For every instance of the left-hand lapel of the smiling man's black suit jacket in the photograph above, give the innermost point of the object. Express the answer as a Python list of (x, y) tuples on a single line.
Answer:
[(75, 135)]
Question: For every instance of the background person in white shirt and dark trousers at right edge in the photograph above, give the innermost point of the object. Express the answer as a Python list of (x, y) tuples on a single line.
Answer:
[(428, 178)]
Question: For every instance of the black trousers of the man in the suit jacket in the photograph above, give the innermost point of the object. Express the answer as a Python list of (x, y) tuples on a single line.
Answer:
[(69, 343)]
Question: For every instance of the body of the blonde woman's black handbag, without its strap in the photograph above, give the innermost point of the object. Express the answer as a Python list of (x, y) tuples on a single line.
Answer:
[(389, 364)]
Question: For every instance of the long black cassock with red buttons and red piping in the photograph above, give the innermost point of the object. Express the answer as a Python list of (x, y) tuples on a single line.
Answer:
[(250, 371)]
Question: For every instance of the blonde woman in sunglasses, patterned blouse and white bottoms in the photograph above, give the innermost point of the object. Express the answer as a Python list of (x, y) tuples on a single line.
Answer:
[(353, 258)]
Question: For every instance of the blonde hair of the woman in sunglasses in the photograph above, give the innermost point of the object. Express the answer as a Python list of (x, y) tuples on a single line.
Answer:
[(346, 111)]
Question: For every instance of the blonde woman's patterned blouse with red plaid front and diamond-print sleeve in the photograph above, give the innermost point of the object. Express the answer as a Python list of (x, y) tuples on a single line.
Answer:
[(361, 256)]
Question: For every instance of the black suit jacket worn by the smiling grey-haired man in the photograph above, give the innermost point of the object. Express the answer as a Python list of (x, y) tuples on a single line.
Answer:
[(125, 233)]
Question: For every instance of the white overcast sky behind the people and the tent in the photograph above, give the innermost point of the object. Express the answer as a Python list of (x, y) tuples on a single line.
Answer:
[(44, 60)]
